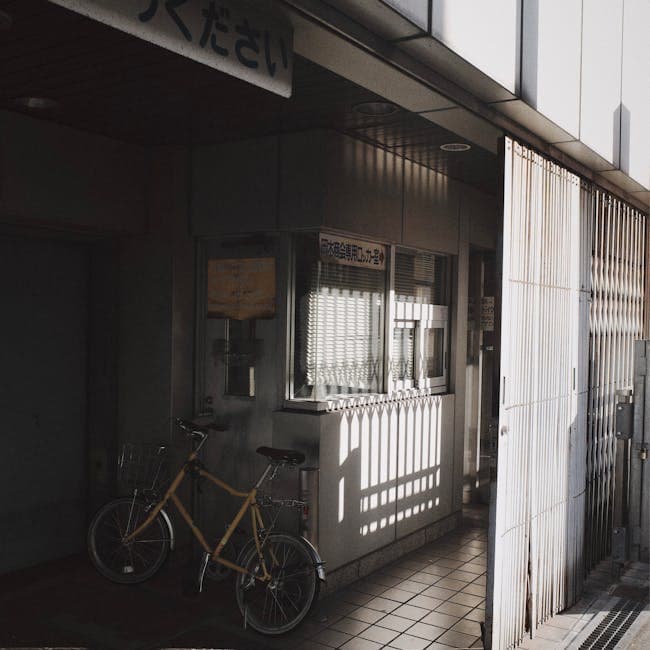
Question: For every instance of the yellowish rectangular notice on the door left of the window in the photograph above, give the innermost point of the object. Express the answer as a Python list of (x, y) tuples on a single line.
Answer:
[(241, 288)]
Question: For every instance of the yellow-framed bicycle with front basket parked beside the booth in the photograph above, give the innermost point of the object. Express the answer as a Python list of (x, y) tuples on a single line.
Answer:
[(278, 574)]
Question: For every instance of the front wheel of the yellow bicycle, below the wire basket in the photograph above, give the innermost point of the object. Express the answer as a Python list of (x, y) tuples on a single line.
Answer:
[(127, 563)]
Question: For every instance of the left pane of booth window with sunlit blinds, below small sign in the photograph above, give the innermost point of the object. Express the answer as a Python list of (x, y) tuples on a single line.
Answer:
[(339, 326)]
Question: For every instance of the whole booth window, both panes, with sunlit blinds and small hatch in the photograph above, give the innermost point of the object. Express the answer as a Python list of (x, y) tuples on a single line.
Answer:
[(340, 316)]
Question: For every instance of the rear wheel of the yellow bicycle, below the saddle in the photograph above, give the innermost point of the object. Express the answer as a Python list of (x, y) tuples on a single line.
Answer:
[(279, 605)]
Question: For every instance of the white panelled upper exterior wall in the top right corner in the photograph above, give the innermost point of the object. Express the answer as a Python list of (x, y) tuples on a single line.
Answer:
[(574, 72)]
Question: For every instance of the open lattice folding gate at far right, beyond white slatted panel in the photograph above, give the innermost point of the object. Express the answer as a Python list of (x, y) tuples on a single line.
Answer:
[(616, 321)]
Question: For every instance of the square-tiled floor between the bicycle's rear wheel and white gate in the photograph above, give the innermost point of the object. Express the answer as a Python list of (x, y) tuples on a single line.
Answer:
[(433, 598)]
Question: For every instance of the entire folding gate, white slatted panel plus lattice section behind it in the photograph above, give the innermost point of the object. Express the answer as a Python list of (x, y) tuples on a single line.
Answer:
[(573, 303)]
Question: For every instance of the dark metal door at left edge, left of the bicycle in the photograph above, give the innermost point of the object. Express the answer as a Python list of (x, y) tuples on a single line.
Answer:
[(43, 285)]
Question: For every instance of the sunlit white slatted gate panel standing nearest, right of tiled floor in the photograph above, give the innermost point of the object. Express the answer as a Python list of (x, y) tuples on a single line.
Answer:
[(535, 551)]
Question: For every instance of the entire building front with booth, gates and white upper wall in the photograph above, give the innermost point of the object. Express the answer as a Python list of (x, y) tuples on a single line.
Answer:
[(425, 268)]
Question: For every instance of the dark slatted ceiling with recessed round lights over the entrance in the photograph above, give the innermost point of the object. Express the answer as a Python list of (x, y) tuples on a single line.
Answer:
[(114, 84)]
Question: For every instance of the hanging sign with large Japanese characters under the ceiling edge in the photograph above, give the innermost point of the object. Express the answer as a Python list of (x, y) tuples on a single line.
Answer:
[(235, 37)]
